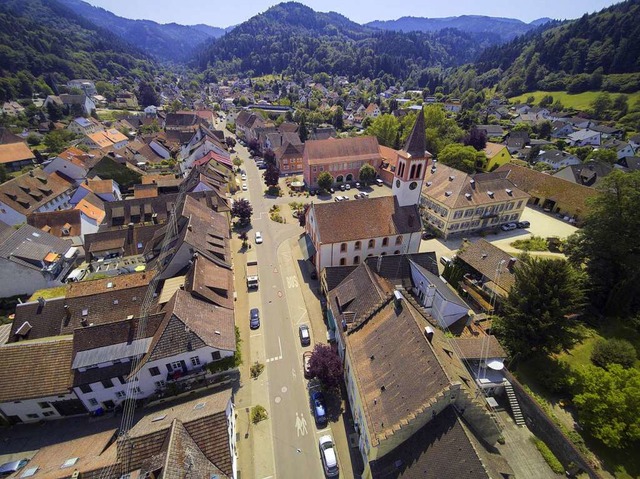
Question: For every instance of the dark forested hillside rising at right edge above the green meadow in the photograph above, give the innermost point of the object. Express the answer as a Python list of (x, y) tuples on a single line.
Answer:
[(586, 54)]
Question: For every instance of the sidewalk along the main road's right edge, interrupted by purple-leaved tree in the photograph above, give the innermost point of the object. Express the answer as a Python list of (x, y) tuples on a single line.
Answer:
[(348, 457)]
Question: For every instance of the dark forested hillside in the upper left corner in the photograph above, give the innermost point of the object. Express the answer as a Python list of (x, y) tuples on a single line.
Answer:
[(43, 44)]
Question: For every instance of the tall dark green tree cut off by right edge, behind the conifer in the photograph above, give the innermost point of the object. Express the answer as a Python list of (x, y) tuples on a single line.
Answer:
[(612, 266)]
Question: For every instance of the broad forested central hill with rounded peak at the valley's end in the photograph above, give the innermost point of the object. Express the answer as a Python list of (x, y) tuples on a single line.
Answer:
[(291, 37)]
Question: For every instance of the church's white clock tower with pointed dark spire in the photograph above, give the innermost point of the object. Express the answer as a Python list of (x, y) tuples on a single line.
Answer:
[(411, 165)]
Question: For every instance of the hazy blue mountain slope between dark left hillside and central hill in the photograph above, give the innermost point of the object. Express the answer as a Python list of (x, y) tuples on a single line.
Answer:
[(163, 41)]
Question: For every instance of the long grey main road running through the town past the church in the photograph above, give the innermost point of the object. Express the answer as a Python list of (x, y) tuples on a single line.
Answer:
[(282, 310)]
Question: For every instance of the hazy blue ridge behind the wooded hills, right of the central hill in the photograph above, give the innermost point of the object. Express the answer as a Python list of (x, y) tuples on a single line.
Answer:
[(505, 28)]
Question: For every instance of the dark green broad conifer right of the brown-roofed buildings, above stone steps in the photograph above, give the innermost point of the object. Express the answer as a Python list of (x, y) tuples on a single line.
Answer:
[(535, 315)]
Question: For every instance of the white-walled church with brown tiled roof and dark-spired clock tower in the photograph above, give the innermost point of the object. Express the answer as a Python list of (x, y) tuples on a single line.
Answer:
[(348, 232)]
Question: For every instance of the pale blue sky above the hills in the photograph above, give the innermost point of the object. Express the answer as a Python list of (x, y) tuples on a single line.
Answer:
[(224, 13)]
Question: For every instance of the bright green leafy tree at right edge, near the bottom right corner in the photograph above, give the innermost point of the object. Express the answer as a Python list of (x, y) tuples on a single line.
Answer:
[(607, 403)]
